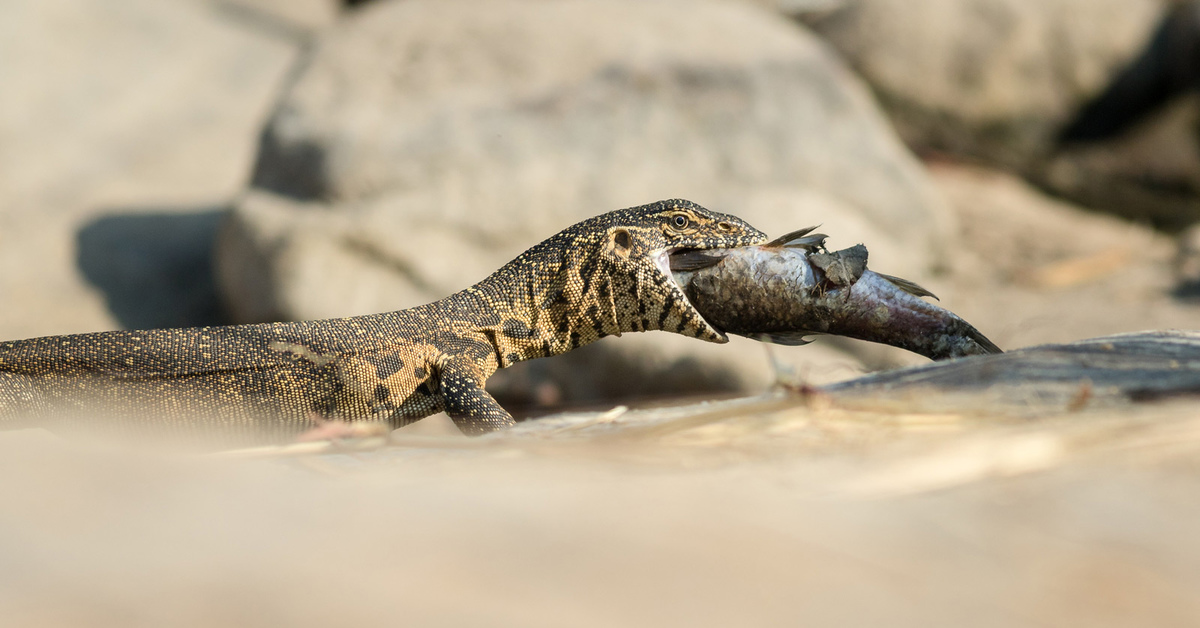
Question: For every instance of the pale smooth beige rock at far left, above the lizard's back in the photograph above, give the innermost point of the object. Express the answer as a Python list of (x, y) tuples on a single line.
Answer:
[(116, 109)]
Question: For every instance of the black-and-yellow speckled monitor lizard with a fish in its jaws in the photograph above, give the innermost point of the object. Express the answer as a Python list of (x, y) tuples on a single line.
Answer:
[(599, 278)]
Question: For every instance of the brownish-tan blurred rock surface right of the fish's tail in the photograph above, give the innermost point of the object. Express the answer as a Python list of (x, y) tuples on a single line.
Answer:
[(1034, 270)]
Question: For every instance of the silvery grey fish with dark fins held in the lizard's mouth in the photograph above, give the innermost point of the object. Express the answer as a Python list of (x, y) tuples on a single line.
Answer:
[(793, 289)]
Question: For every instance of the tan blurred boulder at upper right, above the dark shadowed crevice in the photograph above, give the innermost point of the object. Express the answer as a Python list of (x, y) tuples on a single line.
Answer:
[(994, 80)]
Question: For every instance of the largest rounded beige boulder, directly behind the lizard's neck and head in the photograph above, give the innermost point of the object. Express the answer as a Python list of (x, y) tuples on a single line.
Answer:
[(429, 142)]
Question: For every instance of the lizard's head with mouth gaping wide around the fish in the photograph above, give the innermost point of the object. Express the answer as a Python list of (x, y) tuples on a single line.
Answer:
[(635, 253)]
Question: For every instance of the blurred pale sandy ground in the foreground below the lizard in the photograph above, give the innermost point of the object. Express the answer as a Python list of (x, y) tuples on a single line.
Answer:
[(765, 512)]
